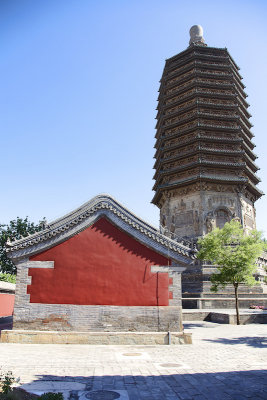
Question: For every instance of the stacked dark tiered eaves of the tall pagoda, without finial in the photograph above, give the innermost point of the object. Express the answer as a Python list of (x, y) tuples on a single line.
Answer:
[(203, 129)]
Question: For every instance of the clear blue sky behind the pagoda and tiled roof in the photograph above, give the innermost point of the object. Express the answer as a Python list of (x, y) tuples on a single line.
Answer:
[(78, 92)]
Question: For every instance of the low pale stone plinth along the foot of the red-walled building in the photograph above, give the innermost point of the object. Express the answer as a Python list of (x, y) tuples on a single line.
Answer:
[(96, 338)]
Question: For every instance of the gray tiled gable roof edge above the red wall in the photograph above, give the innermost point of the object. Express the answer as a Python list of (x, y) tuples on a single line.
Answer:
[(84, 216)]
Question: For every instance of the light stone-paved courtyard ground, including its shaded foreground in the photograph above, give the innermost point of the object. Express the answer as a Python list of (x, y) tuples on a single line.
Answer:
[(224, 362)]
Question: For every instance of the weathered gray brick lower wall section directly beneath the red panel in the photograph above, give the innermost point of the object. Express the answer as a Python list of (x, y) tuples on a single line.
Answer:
[(68, 317)]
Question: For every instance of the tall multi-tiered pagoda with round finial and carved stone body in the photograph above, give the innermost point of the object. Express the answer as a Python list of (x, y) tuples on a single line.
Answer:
[(205, 170)]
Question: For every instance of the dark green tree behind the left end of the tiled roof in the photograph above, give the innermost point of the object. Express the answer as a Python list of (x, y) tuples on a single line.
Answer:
[(16, 229)]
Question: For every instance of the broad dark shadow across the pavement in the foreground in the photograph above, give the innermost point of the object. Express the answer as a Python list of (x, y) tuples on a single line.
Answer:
[(233, 385)]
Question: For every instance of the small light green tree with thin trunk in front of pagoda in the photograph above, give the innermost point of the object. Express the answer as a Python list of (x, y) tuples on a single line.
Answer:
[(235, 255)]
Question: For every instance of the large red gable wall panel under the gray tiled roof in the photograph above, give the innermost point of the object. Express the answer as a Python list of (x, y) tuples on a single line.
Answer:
[(100, 265)]
